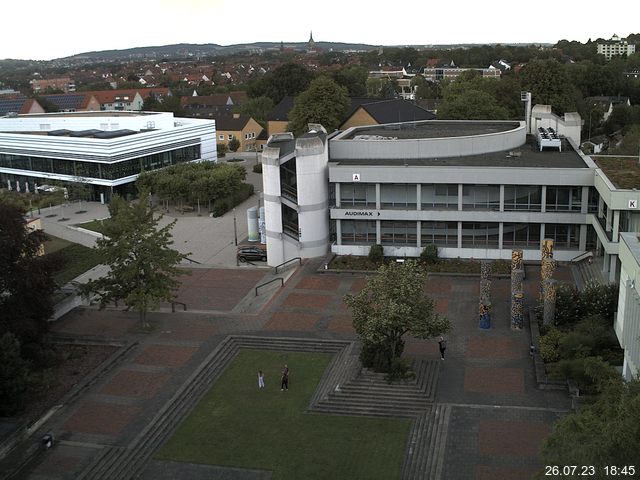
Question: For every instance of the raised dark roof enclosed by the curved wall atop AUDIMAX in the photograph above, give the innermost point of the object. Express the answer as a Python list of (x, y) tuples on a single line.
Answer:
[(430, 129)]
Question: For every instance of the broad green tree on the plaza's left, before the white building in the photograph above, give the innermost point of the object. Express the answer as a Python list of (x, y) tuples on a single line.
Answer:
[(143, 266)]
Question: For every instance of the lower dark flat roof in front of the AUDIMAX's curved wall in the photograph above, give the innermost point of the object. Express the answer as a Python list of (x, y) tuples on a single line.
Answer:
[(528, 155)]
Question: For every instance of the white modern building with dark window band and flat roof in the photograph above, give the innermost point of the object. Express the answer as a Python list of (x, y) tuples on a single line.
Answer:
[(106, 150)]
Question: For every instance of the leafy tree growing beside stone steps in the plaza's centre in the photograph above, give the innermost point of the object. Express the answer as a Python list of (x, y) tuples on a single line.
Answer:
[(391, 305)]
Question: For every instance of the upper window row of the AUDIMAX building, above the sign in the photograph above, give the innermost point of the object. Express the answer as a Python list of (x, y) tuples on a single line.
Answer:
[(474, 197)]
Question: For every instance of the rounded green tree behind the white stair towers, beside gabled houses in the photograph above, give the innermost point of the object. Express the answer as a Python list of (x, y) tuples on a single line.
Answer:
[(324, 102)]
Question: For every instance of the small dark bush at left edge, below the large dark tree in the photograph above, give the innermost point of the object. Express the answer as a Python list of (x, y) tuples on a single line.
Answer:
[(14, 376)]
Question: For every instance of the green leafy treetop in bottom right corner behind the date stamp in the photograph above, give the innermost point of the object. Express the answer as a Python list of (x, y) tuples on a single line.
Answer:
[(606, 432)]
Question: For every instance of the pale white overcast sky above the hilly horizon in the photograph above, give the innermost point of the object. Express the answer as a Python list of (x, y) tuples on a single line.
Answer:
[(43, 30)]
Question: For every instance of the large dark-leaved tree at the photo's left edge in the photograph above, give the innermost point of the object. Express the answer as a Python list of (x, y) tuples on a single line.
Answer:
[(26, 280)]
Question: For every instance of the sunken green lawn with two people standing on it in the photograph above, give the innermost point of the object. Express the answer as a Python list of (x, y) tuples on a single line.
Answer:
[(238, 425)]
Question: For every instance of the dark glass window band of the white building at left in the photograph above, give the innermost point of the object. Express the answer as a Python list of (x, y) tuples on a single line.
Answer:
[(107, 171)]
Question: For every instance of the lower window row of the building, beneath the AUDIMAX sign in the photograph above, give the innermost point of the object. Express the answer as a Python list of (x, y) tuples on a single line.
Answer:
[(445, 234)]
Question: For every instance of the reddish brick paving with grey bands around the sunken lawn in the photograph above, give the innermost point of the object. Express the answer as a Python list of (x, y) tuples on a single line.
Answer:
[(498, 421)]
